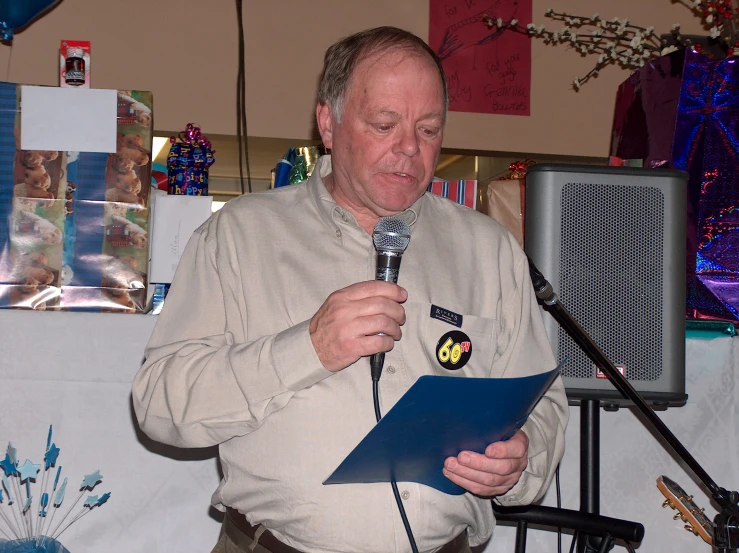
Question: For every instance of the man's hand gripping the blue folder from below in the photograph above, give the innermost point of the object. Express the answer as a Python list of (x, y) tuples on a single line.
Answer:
[(492, 473)]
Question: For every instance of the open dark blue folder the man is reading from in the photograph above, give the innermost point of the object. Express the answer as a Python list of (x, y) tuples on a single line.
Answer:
[(438, 417)]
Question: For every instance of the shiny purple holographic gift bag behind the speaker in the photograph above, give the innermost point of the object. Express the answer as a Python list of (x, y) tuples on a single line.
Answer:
[(682, 111)]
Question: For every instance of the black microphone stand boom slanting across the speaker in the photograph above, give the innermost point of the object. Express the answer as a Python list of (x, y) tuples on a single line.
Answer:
[(726, 522)]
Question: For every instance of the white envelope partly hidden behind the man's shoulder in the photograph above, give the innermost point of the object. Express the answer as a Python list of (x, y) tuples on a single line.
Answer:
[(175, 219)]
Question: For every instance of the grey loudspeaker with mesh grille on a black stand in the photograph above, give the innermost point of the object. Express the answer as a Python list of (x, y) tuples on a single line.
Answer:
[(611, 241)]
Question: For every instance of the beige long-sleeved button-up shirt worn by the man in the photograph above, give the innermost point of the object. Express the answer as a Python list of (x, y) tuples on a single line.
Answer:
[(231, 362)]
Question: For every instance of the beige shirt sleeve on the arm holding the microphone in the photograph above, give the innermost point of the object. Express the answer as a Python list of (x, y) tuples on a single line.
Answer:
[(201, 385)]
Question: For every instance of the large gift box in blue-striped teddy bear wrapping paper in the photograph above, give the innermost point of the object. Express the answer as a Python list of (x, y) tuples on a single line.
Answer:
[(74, 225)]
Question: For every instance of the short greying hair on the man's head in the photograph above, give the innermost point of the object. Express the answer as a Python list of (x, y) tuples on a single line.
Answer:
[(343, 57)]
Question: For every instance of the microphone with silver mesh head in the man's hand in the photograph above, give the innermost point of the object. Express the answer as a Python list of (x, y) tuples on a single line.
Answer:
[(391, 237)]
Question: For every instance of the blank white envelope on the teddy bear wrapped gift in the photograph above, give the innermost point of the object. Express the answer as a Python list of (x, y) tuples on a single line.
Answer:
[(68, 119)]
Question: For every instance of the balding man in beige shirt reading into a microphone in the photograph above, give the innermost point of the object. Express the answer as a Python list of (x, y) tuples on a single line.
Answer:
[(263, 344)]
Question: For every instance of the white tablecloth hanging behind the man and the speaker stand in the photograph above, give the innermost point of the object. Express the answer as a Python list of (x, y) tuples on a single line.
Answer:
[(73, 370)]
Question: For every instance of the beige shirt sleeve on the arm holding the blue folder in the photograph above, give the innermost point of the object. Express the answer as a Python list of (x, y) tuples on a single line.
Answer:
[(523, 350)]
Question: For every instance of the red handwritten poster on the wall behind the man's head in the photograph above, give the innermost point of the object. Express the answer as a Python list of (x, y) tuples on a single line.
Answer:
[(488, 69)]
